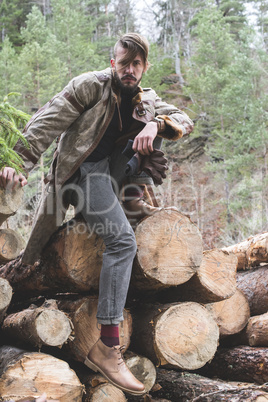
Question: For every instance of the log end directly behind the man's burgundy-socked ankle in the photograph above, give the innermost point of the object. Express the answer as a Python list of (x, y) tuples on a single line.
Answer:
[(82, 313)]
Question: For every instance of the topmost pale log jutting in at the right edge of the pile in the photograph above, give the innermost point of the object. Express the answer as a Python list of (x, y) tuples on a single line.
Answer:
[(250, 252)]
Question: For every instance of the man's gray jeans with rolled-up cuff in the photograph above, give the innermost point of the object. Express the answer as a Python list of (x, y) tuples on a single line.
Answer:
[(100, 183)]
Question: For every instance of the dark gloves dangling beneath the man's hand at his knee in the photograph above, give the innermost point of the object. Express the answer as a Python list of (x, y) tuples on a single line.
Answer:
[(154, 164)]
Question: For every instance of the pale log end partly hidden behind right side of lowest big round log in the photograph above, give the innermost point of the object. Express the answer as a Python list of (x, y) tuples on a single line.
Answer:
[(232, 314)]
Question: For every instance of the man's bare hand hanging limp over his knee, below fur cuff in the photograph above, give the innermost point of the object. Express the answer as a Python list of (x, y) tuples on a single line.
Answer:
[(143, 142)]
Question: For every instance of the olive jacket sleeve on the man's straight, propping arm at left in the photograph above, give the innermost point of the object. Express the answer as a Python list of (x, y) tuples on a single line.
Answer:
[(55, 117)]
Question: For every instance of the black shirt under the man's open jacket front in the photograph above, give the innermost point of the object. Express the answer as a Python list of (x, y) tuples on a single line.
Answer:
[(112, 133)]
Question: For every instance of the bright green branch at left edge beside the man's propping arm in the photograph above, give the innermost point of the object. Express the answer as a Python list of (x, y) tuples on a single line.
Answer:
[(11, 120)]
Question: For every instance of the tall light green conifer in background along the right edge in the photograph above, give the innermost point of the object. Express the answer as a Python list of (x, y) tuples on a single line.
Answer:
[(223, 82)]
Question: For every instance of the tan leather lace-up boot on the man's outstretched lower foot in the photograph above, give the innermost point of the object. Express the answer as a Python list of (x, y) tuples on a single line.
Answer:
[(109, 362)]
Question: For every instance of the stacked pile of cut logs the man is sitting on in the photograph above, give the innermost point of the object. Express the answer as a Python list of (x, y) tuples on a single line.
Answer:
[(183, 306)]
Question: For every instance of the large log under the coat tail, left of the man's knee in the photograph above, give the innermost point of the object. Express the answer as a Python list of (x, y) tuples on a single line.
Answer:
[(71, 262)]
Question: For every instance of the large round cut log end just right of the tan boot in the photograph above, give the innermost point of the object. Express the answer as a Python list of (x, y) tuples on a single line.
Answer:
[(186, 336)]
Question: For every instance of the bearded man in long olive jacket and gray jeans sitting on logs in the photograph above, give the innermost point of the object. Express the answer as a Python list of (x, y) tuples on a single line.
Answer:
[(95, 115)]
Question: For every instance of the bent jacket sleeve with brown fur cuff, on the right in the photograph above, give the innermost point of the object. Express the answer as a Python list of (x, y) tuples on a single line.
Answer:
[(176, 122)]
